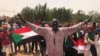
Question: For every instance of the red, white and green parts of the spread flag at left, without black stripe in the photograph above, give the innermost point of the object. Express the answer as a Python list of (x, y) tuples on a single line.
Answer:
[(22, 33)]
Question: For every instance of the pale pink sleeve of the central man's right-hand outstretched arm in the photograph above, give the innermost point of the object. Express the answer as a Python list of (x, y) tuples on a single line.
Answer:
[(72, 29)]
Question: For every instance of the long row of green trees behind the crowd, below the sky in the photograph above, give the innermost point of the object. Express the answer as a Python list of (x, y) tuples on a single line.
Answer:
[(41, 12)]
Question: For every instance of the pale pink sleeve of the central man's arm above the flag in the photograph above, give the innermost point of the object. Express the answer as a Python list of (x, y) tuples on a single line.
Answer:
[(40, 30)]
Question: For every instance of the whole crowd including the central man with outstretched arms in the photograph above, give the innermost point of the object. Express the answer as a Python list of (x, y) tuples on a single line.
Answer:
[(53, 39)]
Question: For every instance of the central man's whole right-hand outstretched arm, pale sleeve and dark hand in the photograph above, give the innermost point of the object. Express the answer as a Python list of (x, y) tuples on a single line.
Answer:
[(74, 28)]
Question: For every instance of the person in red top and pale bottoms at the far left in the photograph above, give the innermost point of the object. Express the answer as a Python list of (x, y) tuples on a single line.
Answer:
[(5, 40)]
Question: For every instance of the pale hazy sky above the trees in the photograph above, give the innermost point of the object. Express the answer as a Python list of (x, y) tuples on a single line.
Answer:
[(12, 7)]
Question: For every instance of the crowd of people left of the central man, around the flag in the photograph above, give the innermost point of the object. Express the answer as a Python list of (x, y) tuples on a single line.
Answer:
[(6, 40)]
